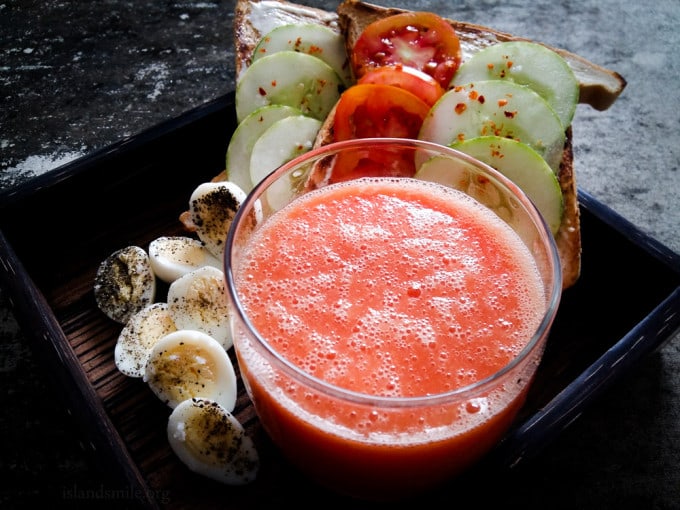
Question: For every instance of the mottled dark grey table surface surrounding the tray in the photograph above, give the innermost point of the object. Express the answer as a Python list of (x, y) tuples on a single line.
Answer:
[(77, 76)]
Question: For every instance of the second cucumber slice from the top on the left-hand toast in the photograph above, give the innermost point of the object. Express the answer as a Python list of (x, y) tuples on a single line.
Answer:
[(288, 78)]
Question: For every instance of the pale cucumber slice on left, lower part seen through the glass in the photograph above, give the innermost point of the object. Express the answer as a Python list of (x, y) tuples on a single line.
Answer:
[(283, 141)]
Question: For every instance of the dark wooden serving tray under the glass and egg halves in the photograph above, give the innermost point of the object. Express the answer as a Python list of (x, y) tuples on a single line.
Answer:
[(56, 229)]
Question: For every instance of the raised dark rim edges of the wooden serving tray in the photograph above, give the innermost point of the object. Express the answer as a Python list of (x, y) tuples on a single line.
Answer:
[(27, 302)]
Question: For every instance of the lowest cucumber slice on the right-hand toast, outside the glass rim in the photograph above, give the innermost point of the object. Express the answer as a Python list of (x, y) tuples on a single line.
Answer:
[(525, 167)]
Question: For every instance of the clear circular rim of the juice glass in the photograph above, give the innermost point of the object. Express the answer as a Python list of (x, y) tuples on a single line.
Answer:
[(462, 393)]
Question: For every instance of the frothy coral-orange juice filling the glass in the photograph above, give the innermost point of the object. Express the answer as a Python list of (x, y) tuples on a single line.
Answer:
[(389, 291)]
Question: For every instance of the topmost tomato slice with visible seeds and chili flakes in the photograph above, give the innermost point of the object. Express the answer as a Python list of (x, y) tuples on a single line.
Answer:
[(422, 40)]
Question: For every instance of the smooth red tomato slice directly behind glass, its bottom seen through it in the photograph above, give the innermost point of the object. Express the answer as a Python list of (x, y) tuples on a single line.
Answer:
[(376, 110)]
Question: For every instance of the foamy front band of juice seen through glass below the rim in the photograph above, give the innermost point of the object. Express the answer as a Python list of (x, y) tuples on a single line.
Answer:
[(385, 425)]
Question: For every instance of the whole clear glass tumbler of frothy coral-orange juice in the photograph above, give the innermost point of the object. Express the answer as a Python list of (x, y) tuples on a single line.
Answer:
[(390, 302)]
